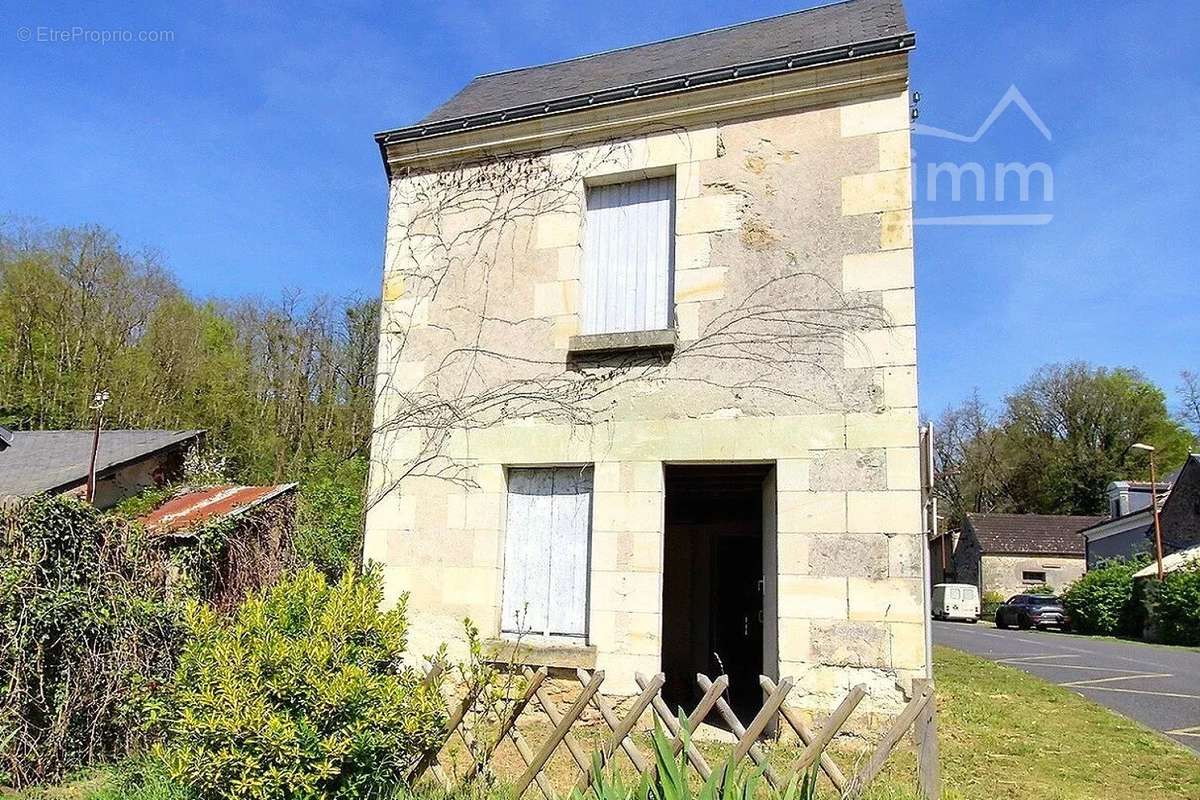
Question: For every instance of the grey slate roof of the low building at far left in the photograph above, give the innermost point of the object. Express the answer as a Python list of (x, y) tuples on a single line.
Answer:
[(46, 461)]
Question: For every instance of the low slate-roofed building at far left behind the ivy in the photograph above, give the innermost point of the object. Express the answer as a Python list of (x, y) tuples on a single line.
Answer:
[(56, 462)]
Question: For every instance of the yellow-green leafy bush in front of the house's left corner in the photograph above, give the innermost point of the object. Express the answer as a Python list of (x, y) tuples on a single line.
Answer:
[(301, 694)]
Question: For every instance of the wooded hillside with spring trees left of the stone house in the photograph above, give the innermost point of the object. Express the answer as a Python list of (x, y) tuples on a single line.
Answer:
[(279, 383)]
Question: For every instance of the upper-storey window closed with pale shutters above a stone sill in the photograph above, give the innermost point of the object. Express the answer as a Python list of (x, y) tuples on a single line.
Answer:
[(627, 257)]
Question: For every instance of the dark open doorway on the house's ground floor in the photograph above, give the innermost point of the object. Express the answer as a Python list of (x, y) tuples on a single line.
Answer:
[(713, 582)]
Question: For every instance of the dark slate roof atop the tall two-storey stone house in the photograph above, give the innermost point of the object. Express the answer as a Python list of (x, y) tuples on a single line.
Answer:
[(796, 40)]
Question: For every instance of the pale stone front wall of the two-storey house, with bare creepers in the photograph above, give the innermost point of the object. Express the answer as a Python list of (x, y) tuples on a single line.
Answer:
[(794, 222)]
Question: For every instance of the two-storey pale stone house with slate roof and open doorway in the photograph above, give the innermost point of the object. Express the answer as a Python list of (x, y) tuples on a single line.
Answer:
[(647, 392)]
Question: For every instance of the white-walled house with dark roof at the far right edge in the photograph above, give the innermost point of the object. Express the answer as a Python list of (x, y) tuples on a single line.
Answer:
[(1131, 531)]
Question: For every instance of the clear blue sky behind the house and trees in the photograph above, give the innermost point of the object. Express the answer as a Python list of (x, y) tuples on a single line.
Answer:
[(242, 151)]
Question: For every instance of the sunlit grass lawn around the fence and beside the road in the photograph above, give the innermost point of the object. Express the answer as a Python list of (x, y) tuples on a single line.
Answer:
[(1005, 736)]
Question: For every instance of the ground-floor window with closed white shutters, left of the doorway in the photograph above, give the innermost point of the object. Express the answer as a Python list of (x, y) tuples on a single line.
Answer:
[(547, 548)]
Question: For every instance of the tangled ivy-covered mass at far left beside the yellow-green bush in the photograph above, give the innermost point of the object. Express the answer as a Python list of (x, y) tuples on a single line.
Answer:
[(86, 627)]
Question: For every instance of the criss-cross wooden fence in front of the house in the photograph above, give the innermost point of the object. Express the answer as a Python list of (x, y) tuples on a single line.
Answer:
[(920, 715)]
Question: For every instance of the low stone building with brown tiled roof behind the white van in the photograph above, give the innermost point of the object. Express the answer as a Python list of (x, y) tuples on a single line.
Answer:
[(1010, 554)]
